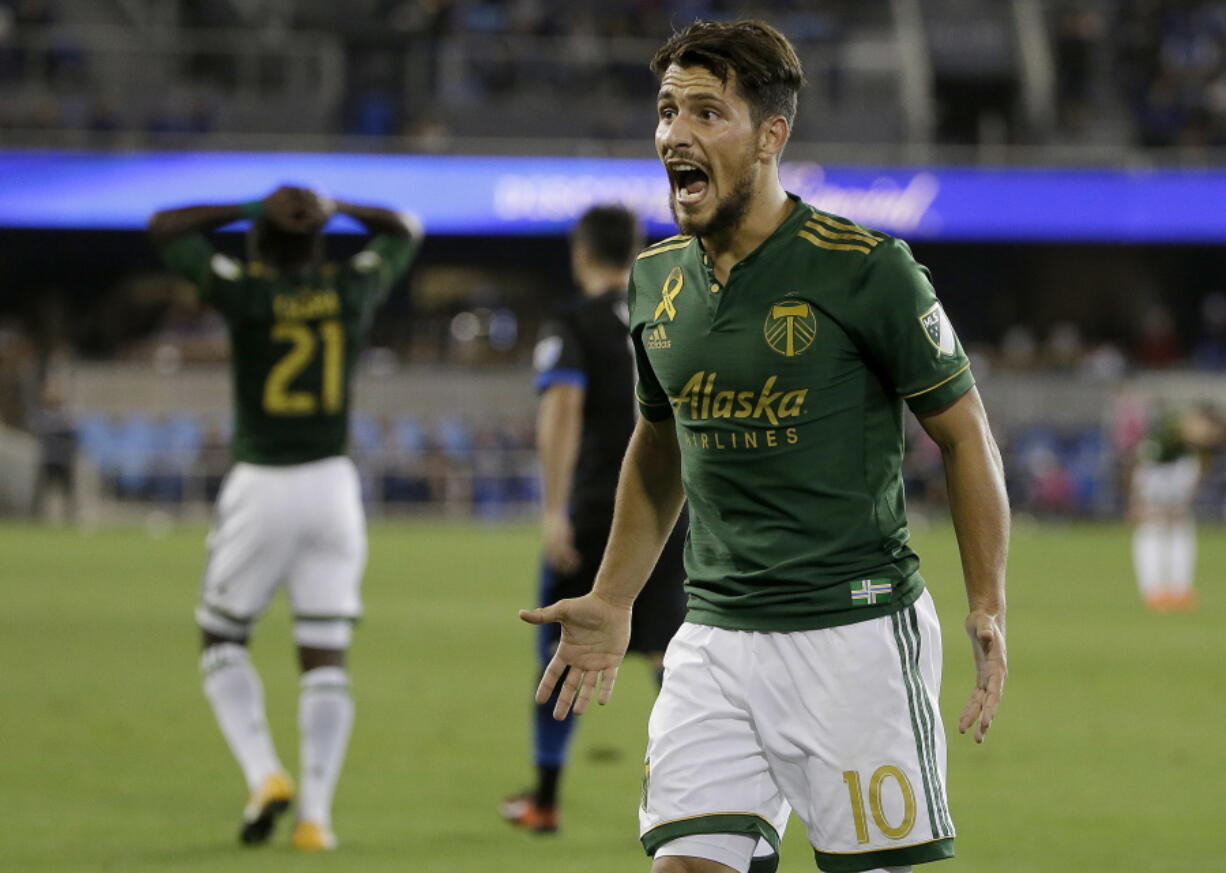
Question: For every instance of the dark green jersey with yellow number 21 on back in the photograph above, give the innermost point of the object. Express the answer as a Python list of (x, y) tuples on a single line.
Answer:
[(295, 341)]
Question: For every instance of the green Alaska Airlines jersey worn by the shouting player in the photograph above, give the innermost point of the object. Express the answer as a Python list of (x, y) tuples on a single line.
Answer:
[(786, 387)]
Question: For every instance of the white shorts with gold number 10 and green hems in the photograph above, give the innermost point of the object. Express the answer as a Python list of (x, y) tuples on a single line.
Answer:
[(840, 725)]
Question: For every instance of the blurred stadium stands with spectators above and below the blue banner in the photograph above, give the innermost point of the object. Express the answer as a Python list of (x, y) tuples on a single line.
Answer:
[(1048, 83)]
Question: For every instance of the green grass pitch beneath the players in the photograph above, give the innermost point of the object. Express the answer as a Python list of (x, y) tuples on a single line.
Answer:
[(1108, 756)]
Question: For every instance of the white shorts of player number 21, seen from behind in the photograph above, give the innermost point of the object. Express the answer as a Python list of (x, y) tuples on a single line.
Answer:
[(301, 527)]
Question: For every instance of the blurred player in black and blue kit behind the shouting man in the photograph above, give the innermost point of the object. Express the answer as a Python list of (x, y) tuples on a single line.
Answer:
[(585, 376)]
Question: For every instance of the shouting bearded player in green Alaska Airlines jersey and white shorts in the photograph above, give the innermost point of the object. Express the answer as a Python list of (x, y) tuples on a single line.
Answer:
[(778, 349)]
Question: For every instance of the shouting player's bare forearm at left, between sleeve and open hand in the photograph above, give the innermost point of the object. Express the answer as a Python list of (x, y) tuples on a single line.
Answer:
[(649, 500)]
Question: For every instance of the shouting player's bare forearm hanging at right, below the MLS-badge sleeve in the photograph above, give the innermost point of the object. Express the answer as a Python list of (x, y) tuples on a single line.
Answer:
[(980, 508)]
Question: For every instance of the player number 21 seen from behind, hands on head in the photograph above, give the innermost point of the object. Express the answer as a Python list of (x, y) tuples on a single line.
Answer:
[(290, 512)]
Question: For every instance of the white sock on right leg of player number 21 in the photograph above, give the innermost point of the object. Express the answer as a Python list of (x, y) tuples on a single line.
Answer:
[(326, 718)]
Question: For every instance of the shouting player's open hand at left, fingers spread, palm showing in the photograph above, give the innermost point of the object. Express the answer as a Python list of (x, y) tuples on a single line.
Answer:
[(595, 635)]
